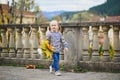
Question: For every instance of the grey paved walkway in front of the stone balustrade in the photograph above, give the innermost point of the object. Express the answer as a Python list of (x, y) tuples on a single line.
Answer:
[(21, 73)]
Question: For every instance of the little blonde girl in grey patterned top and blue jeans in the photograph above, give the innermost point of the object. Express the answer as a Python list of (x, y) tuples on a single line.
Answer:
[(55, 39)]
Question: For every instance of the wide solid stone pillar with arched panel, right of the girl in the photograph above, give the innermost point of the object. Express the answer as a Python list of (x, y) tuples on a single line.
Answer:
[(71, 56)]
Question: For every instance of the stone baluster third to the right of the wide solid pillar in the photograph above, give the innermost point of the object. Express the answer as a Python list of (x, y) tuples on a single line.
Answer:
[(106, 56)]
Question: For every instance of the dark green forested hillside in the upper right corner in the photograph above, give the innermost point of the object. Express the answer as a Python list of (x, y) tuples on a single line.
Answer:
[(110, 8)]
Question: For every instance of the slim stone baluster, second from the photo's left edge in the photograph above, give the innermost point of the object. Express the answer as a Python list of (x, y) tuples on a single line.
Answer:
[(11, 42)]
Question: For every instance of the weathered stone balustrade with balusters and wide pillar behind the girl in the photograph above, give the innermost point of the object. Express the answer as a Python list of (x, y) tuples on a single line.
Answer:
[(21, 41)]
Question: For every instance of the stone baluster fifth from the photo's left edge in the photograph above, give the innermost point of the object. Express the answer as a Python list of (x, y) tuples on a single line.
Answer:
[(34, 43)]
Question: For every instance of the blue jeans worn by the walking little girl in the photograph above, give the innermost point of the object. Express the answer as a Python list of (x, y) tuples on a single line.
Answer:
[(55, 63)]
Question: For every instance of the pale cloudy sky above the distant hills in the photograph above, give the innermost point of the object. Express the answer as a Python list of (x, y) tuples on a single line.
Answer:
[(66, 5)]
